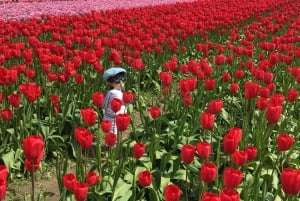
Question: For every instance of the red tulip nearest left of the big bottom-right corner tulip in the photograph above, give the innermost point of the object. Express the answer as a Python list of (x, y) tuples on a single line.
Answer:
[(232, 177)]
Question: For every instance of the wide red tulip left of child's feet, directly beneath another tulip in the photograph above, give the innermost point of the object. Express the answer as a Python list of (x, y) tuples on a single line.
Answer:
[(84, 137)]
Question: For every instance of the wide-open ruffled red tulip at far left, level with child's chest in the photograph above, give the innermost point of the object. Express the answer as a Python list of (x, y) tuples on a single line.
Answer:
[(31, 90)]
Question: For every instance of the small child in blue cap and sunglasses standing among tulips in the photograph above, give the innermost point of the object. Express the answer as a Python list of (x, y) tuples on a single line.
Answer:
[(116, 78)]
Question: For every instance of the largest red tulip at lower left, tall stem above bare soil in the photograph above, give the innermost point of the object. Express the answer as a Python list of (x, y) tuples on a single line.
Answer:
[(33, 147)]
